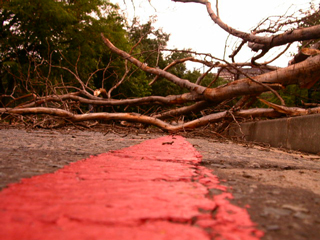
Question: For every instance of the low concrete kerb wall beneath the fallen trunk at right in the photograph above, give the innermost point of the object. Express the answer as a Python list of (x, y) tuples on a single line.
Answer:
[(296, 133)]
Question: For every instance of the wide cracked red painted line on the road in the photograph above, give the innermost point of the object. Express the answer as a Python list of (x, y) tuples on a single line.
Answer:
[(154, 190)]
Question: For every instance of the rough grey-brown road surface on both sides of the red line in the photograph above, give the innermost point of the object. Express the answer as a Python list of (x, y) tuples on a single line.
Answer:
[(281, 188)]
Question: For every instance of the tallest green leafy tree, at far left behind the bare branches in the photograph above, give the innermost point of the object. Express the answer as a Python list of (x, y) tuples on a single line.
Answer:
[(64, 33)]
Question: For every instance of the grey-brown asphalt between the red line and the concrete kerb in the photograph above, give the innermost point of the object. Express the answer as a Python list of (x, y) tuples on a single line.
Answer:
[(281, 188)]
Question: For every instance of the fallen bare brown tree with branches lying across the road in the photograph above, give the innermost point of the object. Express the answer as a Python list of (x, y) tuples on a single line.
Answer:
[(200, 104)]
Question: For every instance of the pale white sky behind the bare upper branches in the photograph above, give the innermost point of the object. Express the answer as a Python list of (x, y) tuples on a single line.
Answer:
[(190, 26)]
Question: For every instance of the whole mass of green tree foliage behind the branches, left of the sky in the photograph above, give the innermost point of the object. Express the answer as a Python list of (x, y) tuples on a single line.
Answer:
[(39, 36)]
